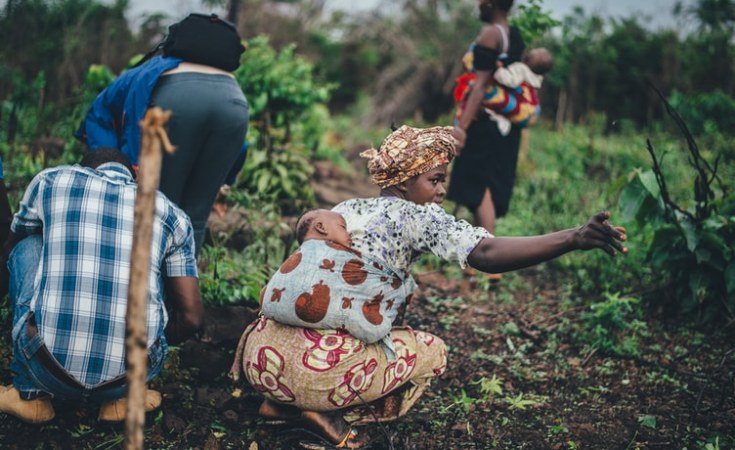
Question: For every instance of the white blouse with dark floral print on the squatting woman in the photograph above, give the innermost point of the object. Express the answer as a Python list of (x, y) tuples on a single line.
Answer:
[(398, 231)]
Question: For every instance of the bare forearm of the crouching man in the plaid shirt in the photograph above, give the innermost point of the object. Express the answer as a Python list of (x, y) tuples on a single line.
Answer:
[(186, 311)]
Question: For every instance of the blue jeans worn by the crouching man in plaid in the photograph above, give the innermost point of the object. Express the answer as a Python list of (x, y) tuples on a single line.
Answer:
[(32, 379)]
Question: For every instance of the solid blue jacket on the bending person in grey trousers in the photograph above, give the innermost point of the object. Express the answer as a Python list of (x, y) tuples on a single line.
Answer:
[(113, 120)]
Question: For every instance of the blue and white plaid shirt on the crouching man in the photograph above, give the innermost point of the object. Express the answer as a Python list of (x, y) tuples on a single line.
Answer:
[(81, 287)]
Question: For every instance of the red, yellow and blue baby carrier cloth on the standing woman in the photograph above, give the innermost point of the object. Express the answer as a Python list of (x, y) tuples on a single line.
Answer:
[(520, 104)]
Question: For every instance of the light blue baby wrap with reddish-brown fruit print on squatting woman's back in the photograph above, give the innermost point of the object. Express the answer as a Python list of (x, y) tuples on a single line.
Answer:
[(329, 286)]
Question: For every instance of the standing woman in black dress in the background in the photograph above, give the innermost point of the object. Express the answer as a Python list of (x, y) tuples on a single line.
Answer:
[(484, 170)]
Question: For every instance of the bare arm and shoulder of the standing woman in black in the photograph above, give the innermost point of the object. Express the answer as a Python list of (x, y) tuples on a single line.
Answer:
[(489, 38)]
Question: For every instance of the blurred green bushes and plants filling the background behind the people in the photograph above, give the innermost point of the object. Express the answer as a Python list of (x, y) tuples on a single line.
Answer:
[(324, 86)]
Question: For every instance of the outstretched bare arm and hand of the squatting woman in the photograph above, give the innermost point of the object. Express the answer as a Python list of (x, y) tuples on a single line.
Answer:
[(502, 254)]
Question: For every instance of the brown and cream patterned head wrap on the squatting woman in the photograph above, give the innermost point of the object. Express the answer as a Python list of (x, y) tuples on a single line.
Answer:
[(408, 152)]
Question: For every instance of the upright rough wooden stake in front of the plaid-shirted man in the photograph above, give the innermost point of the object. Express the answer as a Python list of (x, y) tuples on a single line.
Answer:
[(153, 137)]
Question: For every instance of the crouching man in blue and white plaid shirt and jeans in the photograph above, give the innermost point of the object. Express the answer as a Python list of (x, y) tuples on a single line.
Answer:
[(71, 243)]
